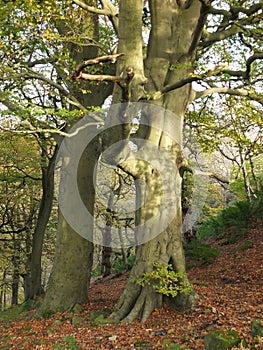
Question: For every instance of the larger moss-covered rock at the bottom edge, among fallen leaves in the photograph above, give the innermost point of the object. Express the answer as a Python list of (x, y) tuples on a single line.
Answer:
[(221, 340)]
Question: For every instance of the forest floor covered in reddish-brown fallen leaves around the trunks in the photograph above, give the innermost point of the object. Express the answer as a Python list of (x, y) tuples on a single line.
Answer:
[(231, 296)]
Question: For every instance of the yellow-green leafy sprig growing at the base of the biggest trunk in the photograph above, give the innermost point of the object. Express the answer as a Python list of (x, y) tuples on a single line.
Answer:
[(165, 280)]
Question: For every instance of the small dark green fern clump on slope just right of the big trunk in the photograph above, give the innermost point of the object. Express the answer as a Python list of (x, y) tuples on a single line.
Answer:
[(201, 252)]
